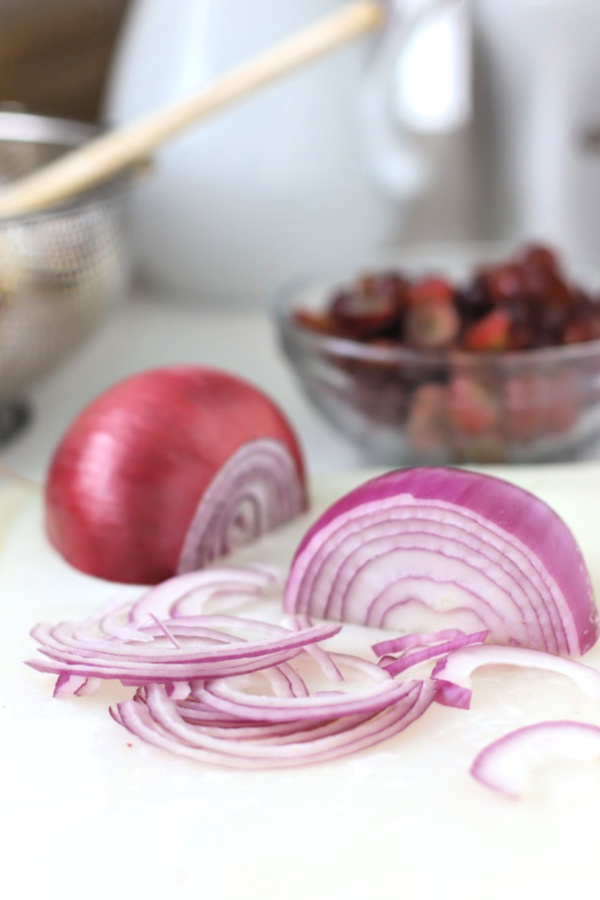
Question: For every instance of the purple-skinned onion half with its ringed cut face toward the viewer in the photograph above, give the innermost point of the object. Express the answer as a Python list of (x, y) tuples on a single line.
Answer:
[(447, 548)]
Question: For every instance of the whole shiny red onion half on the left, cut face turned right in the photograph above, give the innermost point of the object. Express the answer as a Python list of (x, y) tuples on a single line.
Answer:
[(169, 470)]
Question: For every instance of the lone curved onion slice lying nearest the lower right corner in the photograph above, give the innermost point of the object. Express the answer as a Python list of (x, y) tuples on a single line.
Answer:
[(507, 764)]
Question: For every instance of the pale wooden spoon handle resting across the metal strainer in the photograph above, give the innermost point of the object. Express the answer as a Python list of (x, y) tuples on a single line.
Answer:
[(114, 151)]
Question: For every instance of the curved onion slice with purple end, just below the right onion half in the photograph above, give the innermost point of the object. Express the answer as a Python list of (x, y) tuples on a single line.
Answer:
[(456, 669)]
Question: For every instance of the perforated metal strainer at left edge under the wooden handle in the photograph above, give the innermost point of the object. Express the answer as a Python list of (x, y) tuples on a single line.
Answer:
[(60, 270)]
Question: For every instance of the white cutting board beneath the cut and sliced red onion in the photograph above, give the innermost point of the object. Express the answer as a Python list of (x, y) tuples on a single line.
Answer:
[(90, 812)]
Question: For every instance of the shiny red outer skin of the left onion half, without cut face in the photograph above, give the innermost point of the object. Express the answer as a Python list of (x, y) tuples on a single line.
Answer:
[(126, 480)]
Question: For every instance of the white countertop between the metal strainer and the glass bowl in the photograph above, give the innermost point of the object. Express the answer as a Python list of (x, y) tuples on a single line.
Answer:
[(148, 331)]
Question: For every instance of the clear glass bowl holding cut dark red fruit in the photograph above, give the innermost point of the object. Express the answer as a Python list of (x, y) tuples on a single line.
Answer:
[(407, 407)]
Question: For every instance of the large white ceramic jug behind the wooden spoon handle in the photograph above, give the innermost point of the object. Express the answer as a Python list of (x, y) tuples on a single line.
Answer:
[(306, 171)]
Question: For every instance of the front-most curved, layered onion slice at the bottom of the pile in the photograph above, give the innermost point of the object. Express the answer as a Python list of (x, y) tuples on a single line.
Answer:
[(153, 716)]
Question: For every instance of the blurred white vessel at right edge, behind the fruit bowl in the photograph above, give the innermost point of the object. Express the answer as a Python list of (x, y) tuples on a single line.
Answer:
[(538, 120)]
